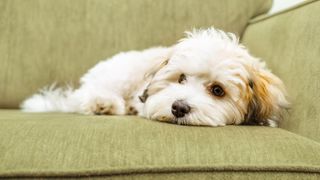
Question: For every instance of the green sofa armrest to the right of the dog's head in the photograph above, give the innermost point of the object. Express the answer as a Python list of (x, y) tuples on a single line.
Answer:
[(290, 44)]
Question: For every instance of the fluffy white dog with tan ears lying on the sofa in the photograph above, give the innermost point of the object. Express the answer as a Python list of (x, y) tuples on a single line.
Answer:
[(207, 78)]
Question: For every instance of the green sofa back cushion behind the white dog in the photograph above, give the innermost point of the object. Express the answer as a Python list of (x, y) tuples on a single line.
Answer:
[(43, 41)]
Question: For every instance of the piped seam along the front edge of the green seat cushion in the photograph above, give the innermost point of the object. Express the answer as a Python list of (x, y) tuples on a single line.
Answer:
[(159, 170)]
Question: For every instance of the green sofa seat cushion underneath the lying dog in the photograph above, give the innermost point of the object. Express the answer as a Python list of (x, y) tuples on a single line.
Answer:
[(111, 146)]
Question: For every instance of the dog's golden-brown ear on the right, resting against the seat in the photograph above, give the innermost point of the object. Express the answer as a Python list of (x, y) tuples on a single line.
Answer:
[(267, 99)]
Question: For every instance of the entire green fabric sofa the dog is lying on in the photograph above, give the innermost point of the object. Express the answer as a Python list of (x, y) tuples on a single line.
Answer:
[(45, 41)]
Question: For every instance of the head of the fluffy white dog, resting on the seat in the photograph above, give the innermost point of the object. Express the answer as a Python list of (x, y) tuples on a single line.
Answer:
[(210, 79)]
